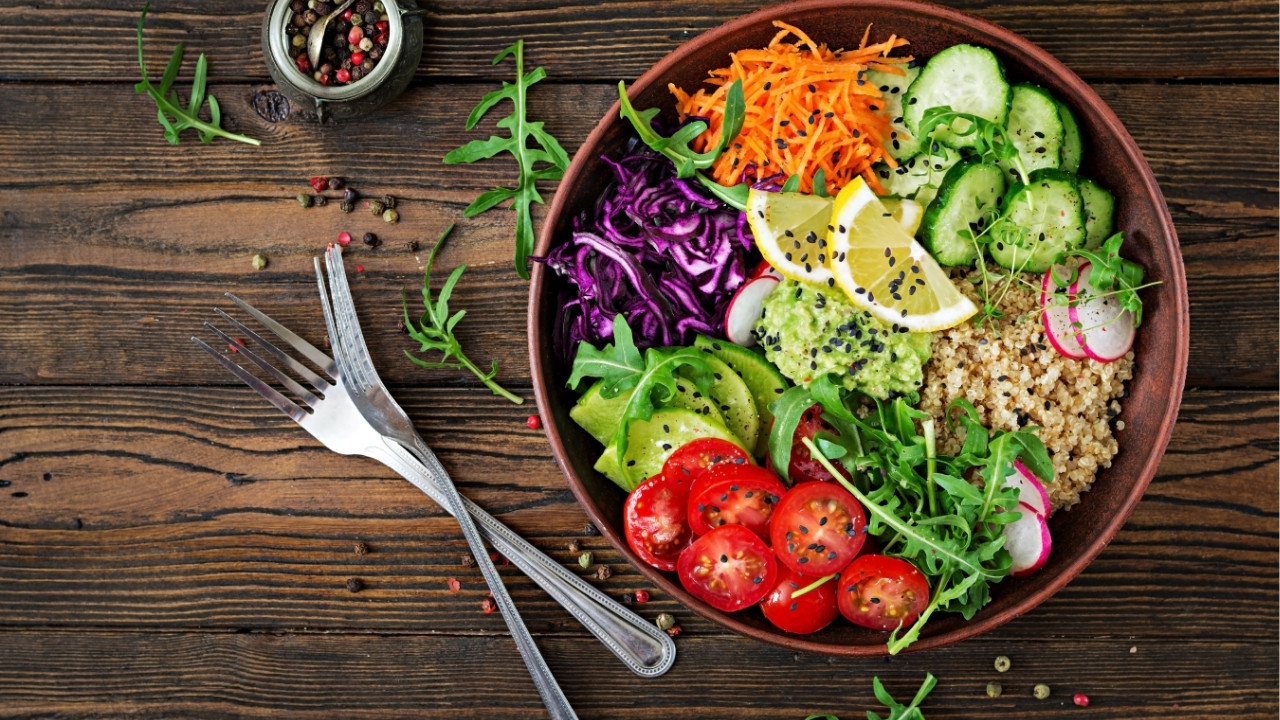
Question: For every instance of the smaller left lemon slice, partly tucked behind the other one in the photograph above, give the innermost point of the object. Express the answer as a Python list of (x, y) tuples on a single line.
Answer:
[(790, 230)]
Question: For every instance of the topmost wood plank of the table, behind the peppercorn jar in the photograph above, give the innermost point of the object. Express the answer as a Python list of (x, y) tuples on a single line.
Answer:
[(607, 42)]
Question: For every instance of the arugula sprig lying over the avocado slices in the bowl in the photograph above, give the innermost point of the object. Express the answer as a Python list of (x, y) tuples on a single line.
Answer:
[(621, 368)]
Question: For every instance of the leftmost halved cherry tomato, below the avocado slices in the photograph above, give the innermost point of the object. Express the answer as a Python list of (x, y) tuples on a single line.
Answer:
[(655, 522)]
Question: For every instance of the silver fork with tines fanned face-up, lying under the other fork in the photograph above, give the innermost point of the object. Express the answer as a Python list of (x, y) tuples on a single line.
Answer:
[(333, 420)]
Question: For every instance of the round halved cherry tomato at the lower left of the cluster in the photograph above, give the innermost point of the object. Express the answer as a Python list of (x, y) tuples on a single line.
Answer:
[(729, 568)]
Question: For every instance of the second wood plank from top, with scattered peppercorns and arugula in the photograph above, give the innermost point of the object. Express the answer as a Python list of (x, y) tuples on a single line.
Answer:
[(190, 227)]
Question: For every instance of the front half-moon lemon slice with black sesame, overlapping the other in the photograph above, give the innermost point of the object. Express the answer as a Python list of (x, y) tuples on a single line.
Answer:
[(885, 271)]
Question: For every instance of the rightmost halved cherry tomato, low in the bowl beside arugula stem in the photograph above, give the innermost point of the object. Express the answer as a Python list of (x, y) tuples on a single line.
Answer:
[(883, 593)]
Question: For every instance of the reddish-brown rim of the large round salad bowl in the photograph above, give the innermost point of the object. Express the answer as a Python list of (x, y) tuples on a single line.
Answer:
[(1177, 279)]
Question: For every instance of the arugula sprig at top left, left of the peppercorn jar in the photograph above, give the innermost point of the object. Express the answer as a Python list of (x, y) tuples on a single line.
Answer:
[(173, 117)]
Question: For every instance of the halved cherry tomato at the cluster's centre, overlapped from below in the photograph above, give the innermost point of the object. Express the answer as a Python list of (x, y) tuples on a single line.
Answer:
[(735, 495)]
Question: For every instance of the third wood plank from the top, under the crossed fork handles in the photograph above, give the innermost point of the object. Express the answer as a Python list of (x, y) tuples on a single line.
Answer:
[(182, 509)]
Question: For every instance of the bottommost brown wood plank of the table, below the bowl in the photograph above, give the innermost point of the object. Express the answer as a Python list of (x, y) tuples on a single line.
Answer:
[(324, 676)]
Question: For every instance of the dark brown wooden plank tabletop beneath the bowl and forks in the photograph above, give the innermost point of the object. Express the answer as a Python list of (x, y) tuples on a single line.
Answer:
[(172, 546)]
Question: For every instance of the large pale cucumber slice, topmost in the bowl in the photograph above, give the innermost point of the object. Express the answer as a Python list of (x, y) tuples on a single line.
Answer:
[(966, 79)]
